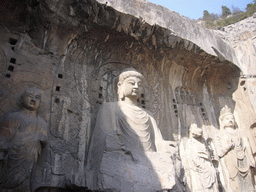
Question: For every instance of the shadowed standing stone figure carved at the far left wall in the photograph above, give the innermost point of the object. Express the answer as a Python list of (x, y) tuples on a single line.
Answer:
[(22, 137)]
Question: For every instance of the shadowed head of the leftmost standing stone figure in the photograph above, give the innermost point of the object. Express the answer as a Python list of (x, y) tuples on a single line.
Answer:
[(31, 99)]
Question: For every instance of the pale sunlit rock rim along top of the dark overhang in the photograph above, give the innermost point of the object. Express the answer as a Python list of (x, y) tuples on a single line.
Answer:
[(177, 24)]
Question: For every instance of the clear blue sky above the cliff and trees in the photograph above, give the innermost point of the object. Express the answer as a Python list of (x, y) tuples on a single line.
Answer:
[(193, 9)]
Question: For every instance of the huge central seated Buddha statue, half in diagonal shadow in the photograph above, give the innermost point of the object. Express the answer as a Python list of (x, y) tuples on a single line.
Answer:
[(127, 151)]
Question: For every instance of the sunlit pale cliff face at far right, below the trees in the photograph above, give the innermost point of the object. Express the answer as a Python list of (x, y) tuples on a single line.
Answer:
[(242, 37)]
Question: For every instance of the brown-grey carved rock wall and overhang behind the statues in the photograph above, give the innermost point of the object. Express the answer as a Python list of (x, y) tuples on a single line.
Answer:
[(74, 50)]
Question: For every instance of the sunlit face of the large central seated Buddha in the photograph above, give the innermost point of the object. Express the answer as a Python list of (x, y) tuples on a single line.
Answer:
[(132, 87)]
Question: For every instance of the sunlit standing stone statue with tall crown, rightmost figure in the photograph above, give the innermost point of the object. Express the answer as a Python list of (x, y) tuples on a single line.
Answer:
[(235, 154)]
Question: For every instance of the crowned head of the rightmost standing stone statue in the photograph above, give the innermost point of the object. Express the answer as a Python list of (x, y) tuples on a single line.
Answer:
[(226, 118)]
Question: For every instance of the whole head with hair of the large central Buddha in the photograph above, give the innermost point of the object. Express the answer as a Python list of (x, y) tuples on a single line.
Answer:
[(129, 84)]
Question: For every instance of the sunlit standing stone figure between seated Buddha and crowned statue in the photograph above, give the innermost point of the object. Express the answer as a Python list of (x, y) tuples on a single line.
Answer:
[(202, 171)]
